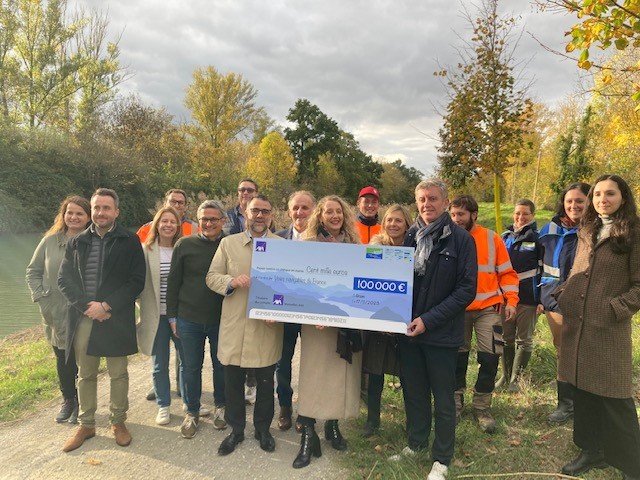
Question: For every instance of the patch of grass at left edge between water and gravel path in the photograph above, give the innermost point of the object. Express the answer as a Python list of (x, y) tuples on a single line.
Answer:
[(27, 373)]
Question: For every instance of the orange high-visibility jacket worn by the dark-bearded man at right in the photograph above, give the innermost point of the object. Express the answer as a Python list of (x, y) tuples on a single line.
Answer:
[(497, 280)]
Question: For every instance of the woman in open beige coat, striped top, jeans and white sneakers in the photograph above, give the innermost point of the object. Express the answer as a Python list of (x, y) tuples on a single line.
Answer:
[(153, 329)]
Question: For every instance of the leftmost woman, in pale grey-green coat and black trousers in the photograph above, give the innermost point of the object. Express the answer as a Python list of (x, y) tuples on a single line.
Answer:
[(74, 216)]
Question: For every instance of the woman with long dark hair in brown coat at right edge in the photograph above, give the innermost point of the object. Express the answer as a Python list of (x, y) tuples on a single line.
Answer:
[(598, 301)]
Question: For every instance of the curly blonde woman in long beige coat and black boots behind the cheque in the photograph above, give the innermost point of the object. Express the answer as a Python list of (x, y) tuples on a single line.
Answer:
[(329, 386)]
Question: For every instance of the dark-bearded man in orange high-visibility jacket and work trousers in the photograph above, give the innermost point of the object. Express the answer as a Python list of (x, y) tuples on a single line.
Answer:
[(497, 289)]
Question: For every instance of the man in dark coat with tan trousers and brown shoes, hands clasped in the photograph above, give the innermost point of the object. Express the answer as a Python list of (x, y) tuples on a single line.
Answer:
[(101, 275)]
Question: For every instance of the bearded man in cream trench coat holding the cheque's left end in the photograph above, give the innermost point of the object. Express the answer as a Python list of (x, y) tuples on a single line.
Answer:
[(245, 343)]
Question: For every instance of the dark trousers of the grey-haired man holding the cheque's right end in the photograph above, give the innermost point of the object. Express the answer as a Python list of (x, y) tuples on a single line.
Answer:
[(426, 372)]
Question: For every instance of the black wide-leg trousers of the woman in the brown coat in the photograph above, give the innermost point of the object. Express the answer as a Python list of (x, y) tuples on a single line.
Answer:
[(609, 425)]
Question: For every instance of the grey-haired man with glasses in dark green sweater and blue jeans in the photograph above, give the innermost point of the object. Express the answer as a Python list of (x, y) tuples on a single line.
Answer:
[(194, 314)]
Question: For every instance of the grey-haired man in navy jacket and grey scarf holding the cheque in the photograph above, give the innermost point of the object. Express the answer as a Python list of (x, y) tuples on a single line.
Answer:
[(445, 276)]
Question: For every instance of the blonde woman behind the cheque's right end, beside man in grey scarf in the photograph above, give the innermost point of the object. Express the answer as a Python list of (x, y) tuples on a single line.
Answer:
[(380, 349)]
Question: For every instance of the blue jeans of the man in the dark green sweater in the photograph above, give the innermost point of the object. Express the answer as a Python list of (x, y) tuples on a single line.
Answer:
[(193, 336)]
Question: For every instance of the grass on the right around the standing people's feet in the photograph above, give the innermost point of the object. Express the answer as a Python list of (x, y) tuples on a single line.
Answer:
[(525, 441)]
